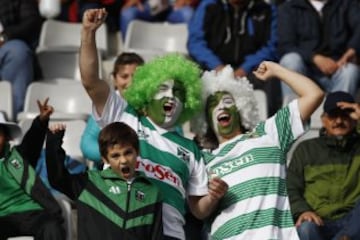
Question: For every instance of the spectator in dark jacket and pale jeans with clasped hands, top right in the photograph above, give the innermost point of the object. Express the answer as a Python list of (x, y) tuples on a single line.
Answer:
[(321, 39)]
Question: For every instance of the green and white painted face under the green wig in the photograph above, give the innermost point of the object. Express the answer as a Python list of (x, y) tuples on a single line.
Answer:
[(166, 106)]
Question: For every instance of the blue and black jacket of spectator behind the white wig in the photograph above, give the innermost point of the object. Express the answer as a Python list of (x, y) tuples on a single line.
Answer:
[(218, 37)]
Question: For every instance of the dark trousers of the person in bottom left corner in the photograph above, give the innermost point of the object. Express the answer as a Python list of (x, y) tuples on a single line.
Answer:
[(39, 224)]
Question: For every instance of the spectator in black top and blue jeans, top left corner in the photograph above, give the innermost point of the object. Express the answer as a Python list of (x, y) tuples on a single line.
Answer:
[(20, 25)]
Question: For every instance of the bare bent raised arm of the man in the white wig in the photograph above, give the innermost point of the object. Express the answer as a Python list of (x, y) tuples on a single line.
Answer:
[(309, 94)]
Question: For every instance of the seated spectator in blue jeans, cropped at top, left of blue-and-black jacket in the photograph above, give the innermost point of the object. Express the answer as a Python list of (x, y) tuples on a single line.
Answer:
[(173, 11)]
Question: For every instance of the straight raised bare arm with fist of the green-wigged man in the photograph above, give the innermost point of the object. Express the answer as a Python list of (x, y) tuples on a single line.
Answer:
[(89, 65)]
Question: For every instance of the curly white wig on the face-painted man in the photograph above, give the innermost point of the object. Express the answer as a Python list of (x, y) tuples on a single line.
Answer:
[(241, 90)]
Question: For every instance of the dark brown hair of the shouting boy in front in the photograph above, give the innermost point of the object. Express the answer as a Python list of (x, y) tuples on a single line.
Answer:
[(117, 133)]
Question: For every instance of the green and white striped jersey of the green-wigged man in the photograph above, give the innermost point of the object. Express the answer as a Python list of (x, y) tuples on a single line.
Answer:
[(173, 162)]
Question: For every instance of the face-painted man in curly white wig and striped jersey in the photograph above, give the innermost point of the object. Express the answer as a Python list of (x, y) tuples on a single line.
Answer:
[(250, 156)]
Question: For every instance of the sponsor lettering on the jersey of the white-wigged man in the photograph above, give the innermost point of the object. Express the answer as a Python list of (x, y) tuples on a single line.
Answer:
[(232, 165)]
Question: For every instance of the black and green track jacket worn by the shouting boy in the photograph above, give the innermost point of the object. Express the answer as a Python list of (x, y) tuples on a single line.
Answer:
[(108, 206)]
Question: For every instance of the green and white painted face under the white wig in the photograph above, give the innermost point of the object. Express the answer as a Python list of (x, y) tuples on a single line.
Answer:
[(224, 116)]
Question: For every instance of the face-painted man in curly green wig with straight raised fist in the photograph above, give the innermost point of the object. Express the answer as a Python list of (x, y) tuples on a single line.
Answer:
[(164, 93)]
